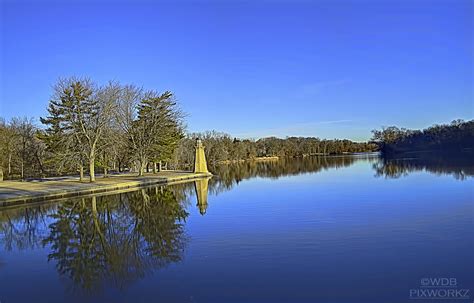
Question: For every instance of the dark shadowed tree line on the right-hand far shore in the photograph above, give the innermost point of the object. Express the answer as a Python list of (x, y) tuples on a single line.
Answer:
[(456, 137)]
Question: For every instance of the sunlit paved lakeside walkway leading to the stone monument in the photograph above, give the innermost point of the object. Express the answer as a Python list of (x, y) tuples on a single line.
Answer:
[(17, 192)]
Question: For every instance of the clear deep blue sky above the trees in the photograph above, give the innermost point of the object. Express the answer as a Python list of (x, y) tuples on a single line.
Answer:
[(333, 69)]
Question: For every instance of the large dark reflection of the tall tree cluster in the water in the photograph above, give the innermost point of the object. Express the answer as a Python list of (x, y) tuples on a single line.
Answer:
[(117, 238)]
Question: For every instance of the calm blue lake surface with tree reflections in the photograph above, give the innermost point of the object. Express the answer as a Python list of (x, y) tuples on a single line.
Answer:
[(334, 229)]
